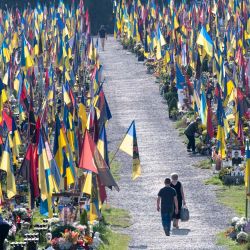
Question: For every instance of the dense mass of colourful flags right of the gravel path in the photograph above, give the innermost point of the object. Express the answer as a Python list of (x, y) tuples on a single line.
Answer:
[(188, 35)]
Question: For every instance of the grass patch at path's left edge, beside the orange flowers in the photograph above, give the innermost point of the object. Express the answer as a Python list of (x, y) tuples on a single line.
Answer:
[(114, 218)]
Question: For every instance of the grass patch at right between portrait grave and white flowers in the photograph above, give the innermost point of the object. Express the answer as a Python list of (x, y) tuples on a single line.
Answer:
[(233, 197)]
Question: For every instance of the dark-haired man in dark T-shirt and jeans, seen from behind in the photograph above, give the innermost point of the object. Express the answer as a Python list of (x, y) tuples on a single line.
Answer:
[(168, 199)]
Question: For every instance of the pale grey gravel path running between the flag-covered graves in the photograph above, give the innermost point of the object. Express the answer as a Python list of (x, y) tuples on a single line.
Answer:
[(133, 94)]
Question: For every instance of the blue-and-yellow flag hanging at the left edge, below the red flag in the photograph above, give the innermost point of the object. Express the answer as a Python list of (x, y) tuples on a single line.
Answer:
[(6, 165)]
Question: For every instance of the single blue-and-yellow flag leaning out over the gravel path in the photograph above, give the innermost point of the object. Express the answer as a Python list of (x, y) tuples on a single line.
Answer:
[(129, 145)]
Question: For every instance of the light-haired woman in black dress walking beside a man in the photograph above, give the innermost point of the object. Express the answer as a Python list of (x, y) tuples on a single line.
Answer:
[(180, 197)]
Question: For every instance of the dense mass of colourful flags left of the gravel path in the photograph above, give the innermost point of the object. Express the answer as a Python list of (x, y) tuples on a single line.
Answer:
[(53, 109)]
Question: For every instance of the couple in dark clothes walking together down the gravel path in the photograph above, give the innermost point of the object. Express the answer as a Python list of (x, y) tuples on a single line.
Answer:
[(169, 202)]
